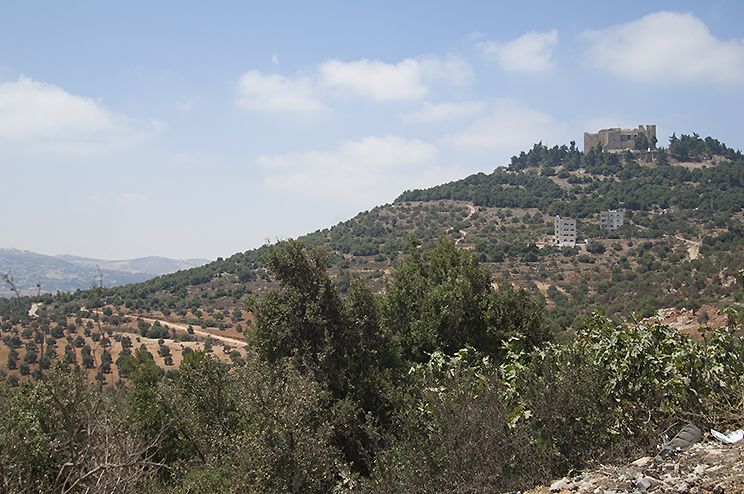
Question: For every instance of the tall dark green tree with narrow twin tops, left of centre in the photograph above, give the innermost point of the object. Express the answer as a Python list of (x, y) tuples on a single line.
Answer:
[(340, 345)]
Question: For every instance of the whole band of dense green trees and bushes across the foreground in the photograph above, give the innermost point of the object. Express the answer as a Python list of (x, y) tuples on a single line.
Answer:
[(442, 383)]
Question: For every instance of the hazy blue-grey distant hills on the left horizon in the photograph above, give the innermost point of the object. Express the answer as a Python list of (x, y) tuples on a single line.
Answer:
[(67, 273)]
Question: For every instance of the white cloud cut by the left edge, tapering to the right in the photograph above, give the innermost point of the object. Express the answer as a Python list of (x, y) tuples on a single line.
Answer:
[(37, 117)]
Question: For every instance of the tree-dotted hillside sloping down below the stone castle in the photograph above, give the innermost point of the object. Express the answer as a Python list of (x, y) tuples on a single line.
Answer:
[(680, 247)]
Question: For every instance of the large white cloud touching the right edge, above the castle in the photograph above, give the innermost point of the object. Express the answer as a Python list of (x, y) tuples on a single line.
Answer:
[(666, 46)]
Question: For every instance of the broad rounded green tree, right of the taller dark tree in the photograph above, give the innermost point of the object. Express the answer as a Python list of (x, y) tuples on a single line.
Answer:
[(444, 300)]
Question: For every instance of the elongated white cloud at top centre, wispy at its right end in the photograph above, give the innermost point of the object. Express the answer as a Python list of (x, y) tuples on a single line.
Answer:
[(381, 81)]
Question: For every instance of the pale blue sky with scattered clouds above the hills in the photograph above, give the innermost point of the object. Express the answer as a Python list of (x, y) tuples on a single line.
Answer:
[(202, 129)]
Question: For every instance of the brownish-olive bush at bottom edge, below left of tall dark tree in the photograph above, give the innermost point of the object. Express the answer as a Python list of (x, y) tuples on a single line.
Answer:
[(267, 432)]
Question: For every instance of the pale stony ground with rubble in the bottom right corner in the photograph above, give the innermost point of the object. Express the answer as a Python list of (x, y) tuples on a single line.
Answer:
[(706, 467)]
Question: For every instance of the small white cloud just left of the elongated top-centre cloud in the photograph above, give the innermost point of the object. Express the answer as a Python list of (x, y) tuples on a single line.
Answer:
[(275, 92)]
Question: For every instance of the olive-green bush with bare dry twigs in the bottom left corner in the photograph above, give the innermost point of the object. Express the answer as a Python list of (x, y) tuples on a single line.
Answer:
[(59, 434)]
